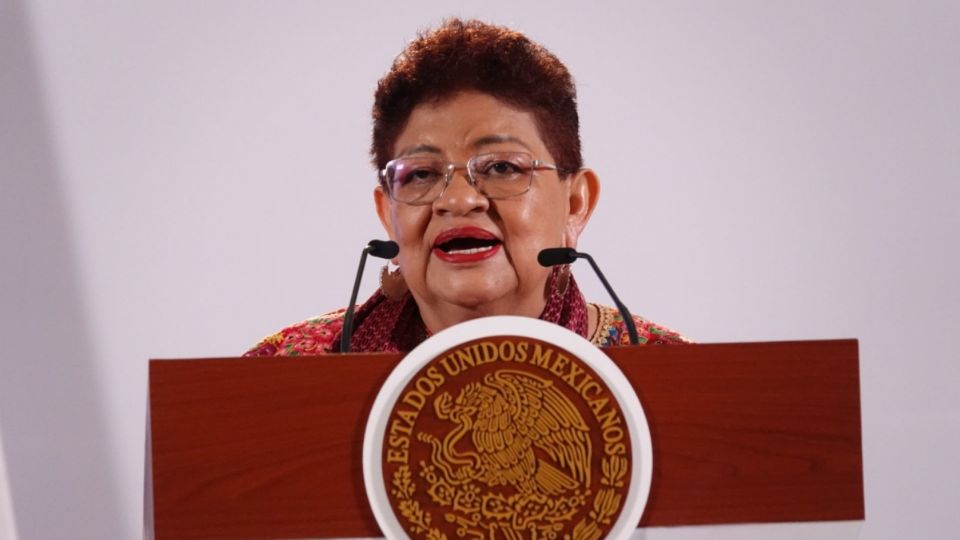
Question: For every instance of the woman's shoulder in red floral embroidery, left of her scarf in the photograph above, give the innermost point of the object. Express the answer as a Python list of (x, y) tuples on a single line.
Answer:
[(310, 337)]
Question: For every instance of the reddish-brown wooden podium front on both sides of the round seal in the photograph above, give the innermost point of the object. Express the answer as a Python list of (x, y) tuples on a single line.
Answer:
[(271, 447)]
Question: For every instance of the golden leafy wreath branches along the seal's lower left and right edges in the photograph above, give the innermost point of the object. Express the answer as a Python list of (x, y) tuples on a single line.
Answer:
[(606, 503)]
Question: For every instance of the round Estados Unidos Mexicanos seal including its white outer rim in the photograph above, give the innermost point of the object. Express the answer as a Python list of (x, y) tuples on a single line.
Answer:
[(507, 427)]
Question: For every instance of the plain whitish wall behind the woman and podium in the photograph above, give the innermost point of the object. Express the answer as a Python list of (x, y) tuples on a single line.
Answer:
[(180, 178)]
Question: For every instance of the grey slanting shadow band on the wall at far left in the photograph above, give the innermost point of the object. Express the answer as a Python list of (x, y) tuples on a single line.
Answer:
[(56, 445)]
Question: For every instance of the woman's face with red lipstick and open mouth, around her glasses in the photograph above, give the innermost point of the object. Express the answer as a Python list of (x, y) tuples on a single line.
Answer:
[(449, 282)]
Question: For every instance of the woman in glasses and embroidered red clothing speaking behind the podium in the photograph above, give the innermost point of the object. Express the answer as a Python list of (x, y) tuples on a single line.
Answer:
[(476, 136)]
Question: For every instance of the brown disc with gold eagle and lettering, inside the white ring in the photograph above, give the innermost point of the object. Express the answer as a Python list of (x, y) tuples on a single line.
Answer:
[(506, 439)]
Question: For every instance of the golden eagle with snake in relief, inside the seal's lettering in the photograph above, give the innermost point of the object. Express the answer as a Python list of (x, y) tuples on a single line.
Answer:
[(517, 461)]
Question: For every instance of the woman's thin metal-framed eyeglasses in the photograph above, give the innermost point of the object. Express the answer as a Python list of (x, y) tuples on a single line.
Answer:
[(420, 180)]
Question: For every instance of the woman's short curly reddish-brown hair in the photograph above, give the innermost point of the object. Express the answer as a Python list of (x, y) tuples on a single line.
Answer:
[(473, 55)]
